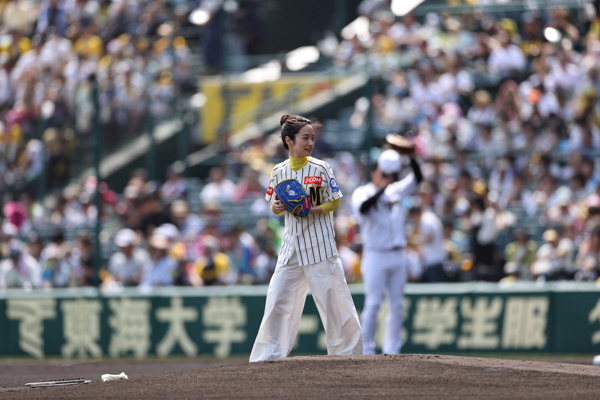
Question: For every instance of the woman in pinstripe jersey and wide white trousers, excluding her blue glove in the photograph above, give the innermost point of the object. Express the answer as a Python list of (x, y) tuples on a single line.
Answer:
[(308, 256)]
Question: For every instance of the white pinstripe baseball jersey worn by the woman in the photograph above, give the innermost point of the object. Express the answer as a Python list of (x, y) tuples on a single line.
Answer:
[(312, 237)]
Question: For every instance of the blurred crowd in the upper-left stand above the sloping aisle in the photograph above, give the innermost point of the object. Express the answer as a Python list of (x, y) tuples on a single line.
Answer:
[(51, 51)]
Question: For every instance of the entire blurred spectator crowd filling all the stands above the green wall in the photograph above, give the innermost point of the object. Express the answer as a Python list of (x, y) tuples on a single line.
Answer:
[(502, 107)]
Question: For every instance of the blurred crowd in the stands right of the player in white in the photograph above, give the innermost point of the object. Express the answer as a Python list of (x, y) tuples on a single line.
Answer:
[(503, 109)]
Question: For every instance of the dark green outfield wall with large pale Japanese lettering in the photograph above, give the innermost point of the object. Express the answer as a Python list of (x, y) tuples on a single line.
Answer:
[(223, 321)]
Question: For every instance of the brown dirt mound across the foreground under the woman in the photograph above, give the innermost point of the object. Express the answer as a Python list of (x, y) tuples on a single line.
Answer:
[(332, 377)]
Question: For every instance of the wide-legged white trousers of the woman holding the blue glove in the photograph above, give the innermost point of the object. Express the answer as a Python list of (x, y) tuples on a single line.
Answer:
[(285, 302)]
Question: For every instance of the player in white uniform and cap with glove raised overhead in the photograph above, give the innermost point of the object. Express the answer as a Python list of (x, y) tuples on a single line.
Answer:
[(380, 215)]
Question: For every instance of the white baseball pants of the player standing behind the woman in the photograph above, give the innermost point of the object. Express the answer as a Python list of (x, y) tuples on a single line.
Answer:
[(383, 272)]
